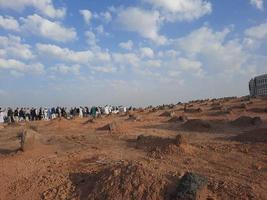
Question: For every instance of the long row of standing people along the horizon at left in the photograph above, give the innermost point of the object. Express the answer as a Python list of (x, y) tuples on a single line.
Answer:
[(10, 115)]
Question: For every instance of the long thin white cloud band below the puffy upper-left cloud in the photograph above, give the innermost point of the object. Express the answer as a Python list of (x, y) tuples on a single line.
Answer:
[(65, 54)]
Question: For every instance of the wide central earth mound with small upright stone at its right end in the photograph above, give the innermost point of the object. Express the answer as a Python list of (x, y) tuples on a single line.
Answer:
[(158, 148)]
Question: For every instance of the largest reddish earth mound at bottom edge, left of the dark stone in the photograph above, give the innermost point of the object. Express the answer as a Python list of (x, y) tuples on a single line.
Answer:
[(128, 180)]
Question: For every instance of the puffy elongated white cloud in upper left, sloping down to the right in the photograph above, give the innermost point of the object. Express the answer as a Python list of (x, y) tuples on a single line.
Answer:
[(38, 25)]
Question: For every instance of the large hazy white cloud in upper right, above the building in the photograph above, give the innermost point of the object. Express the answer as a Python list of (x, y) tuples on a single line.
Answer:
[(213, 50)]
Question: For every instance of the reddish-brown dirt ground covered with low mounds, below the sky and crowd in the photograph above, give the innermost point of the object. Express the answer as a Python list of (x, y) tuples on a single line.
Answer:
[(138, 157)]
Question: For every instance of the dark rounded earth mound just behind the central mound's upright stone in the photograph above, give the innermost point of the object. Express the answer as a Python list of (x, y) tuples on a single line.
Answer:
[(197, 125)]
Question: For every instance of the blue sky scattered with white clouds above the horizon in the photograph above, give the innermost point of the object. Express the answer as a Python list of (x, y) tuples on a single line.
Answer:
[(139, 52)]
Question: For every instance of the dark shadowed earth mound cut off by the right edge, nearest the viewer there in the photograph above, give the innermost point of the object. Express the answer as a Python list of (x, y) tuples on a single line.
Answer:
[(258, 135)]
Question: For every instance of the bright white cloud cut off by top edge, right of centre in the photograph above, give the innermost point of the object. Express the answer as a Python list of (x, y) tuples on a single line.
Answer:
[(182, 10)]
